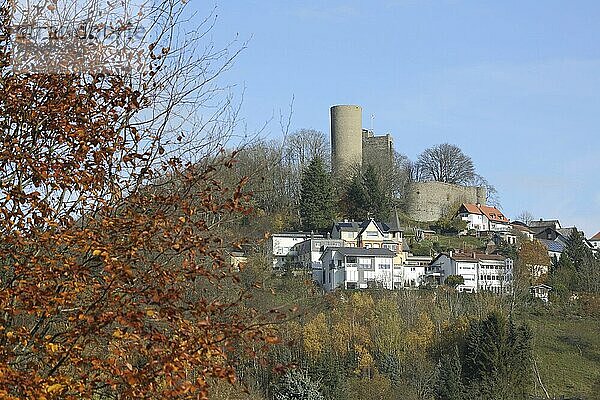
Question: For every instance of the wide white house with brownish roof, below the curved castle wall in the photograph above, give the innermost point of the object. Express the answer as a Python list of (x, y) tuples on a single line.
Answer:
[(489, 272)]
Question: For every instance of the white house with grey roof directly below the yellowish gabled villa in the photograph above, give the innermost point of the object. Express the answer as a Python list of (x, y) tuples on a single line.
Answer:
[(357, 268)]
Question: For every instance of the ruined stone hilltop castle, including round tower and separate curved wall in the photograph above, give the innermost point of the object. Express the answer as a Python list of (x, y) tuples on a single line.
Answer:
[(353, 146)]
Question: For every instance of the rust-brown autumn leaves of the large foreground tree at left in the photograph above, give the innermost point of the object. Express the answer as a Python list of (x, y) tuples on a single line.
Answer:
[(115, 278)]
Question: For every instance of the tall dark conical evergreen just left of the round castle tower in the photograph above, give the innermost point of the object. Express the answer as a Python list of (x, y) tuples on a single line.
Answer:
[(316, 205)]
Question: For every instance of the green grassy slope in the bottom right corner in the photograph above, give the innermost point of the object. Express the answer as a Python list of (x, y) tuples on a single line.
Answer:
[(567, 352)]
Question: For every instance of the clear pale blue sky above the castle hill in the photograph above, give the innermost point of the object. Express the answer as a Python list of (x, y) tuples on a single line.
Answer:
[(515, 84)]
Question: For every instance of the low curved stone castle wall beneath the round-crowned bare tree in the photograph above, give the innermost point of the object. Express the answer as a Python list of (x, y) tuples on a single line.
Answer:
[(429, 201)]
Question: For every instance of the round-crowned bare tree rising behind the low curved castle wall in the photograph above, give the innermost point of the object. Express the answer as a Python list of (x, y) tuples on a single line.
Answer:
[(445, 163)]
